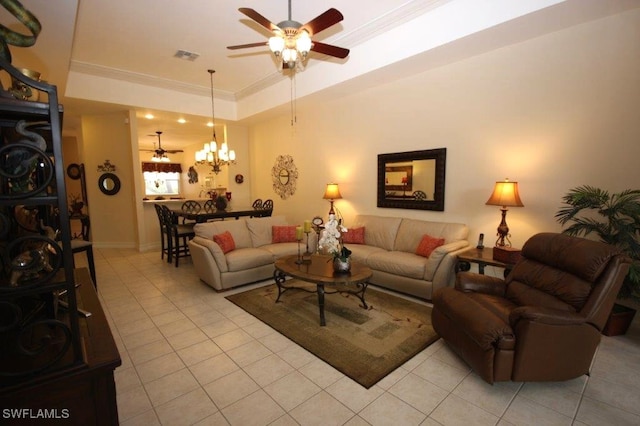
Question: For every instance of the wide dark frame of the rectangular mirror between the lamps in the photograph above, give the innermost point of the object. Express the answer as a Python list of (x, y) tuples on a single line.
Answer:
[(439, 154)]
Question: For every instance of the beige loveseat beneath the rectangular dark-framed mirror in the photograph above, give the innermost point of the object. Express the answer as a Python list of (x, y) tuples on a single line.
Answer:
[(389, 249)]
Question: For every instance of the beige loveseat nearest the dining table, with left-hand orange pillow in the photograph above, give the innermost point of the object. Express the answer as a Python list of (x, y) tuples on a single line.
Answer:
[(251, 260)]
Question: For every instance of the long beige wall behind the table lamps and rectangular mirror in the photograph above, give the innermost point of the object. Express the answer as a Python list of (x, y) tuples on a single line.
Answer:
[(552, 113)]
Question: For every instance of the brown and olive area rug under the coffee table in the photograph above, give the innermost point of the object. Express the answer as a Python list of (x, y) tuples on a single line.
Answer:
[(364, 344)]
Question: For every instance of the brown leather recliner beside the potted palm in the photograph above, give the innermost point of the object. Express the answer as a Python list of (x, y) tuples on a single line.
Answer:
[(543, 322)]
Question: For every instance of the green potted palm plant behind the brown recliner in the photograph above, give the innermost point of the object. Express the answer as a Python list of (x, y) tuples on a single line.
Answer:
[(614, 219)]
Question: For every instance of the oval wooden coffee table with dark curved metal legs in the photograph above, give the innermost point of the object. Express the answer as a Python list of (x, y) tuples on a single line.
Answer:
[(320, 272)]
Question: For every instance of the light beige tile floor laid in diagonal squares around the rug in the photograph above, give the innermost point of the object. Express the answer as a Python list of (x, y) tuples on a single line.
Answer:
[(191, 357)]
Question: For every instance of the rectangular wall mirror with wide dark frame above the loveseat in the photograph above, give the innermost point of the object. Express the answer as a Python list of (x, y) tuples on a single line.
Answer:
[(412, 180)]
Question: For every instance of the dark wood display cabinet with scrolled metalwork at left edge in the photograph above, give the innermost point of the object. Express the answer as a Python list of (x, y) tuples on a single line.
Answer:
[(54, 361)]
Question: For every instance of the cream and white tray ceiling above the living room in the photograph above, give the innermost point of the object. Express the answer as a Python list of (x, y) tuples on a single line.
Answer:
[(119, 54)]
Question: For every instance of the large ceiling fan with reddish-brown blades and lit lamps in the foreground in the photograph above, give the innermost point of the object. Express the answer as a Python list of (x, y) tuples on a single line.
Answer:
[(291, 41)]
